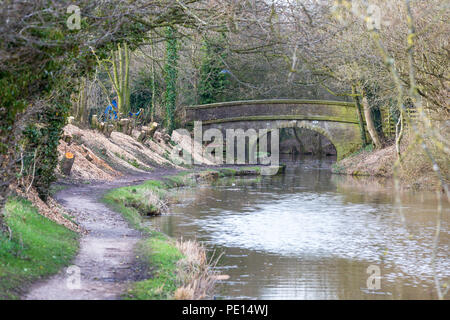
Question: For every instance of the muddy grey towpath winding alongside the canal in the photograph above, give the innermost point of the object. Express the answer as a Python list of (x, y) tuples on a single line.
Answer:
[(106, 259)]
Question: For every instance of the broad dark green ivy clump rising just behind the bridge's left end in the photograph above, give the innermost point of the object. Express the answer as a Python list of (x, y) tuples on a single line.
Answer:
[(213, 79)]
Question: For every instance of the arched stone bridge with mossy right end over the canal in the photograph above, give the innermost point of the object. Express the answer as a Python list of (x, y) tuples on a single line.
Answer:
[(335, 120)]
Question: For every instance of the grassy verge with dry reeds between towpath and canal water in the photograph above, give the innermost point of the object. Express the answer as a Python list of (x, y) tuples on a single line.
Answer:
[(180, 270)]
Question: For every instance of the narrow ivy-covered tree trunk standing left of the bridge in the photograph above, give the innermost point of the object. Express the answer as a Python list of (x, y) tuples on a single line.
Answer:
[(171, 75)]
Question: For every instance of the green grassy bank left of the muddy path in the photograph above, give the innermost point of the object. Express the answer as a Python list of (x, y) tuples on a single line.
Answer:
[(38, 248)]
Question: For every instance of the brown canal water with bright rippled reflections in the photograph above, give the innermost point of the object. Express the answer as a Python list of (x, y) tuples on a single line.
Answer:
[(309, 234)]
